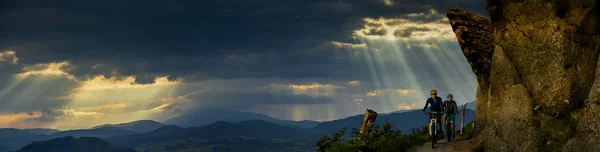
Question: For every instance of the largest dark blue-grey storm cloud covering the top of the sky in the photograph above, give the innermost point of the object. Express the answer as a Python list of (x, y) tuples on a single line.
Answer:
[(177, 37)]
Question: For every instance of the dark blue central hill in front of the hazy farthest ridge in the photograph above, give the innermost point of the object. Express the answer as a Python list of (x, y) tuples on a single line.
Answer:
[(257, 135)]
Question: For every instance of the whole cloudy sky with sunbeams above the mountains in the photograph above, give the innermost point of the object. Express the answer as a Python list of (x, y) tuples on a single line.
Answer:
[(70, 64)]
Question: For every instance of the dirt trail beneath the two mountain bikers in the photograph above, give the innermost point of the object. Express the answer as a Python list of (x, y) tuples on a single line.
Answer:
[(460, 144)]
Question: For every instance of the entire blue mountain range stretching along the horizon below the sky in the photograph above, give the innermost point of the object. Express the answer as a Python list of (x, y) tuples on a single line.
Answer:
[(237, 131)]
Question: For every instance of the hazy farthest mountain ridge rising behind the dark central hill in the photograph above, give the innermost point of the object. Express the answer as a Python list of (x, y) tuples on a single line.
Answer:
[(206, 117)]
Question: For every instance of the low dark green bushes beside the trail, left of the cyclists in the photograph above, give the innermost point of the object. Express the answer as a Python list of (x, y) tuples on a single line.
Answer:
[(381, 138)]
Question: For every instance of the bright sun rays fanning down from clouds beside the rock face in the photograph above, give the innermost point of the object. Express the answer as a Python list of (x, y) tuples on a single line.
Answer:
[(425, 37)]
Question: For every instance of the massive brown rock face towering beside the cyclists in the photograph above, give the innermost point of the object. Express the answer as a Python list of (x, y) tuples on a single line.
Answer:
[(537, 66)]
